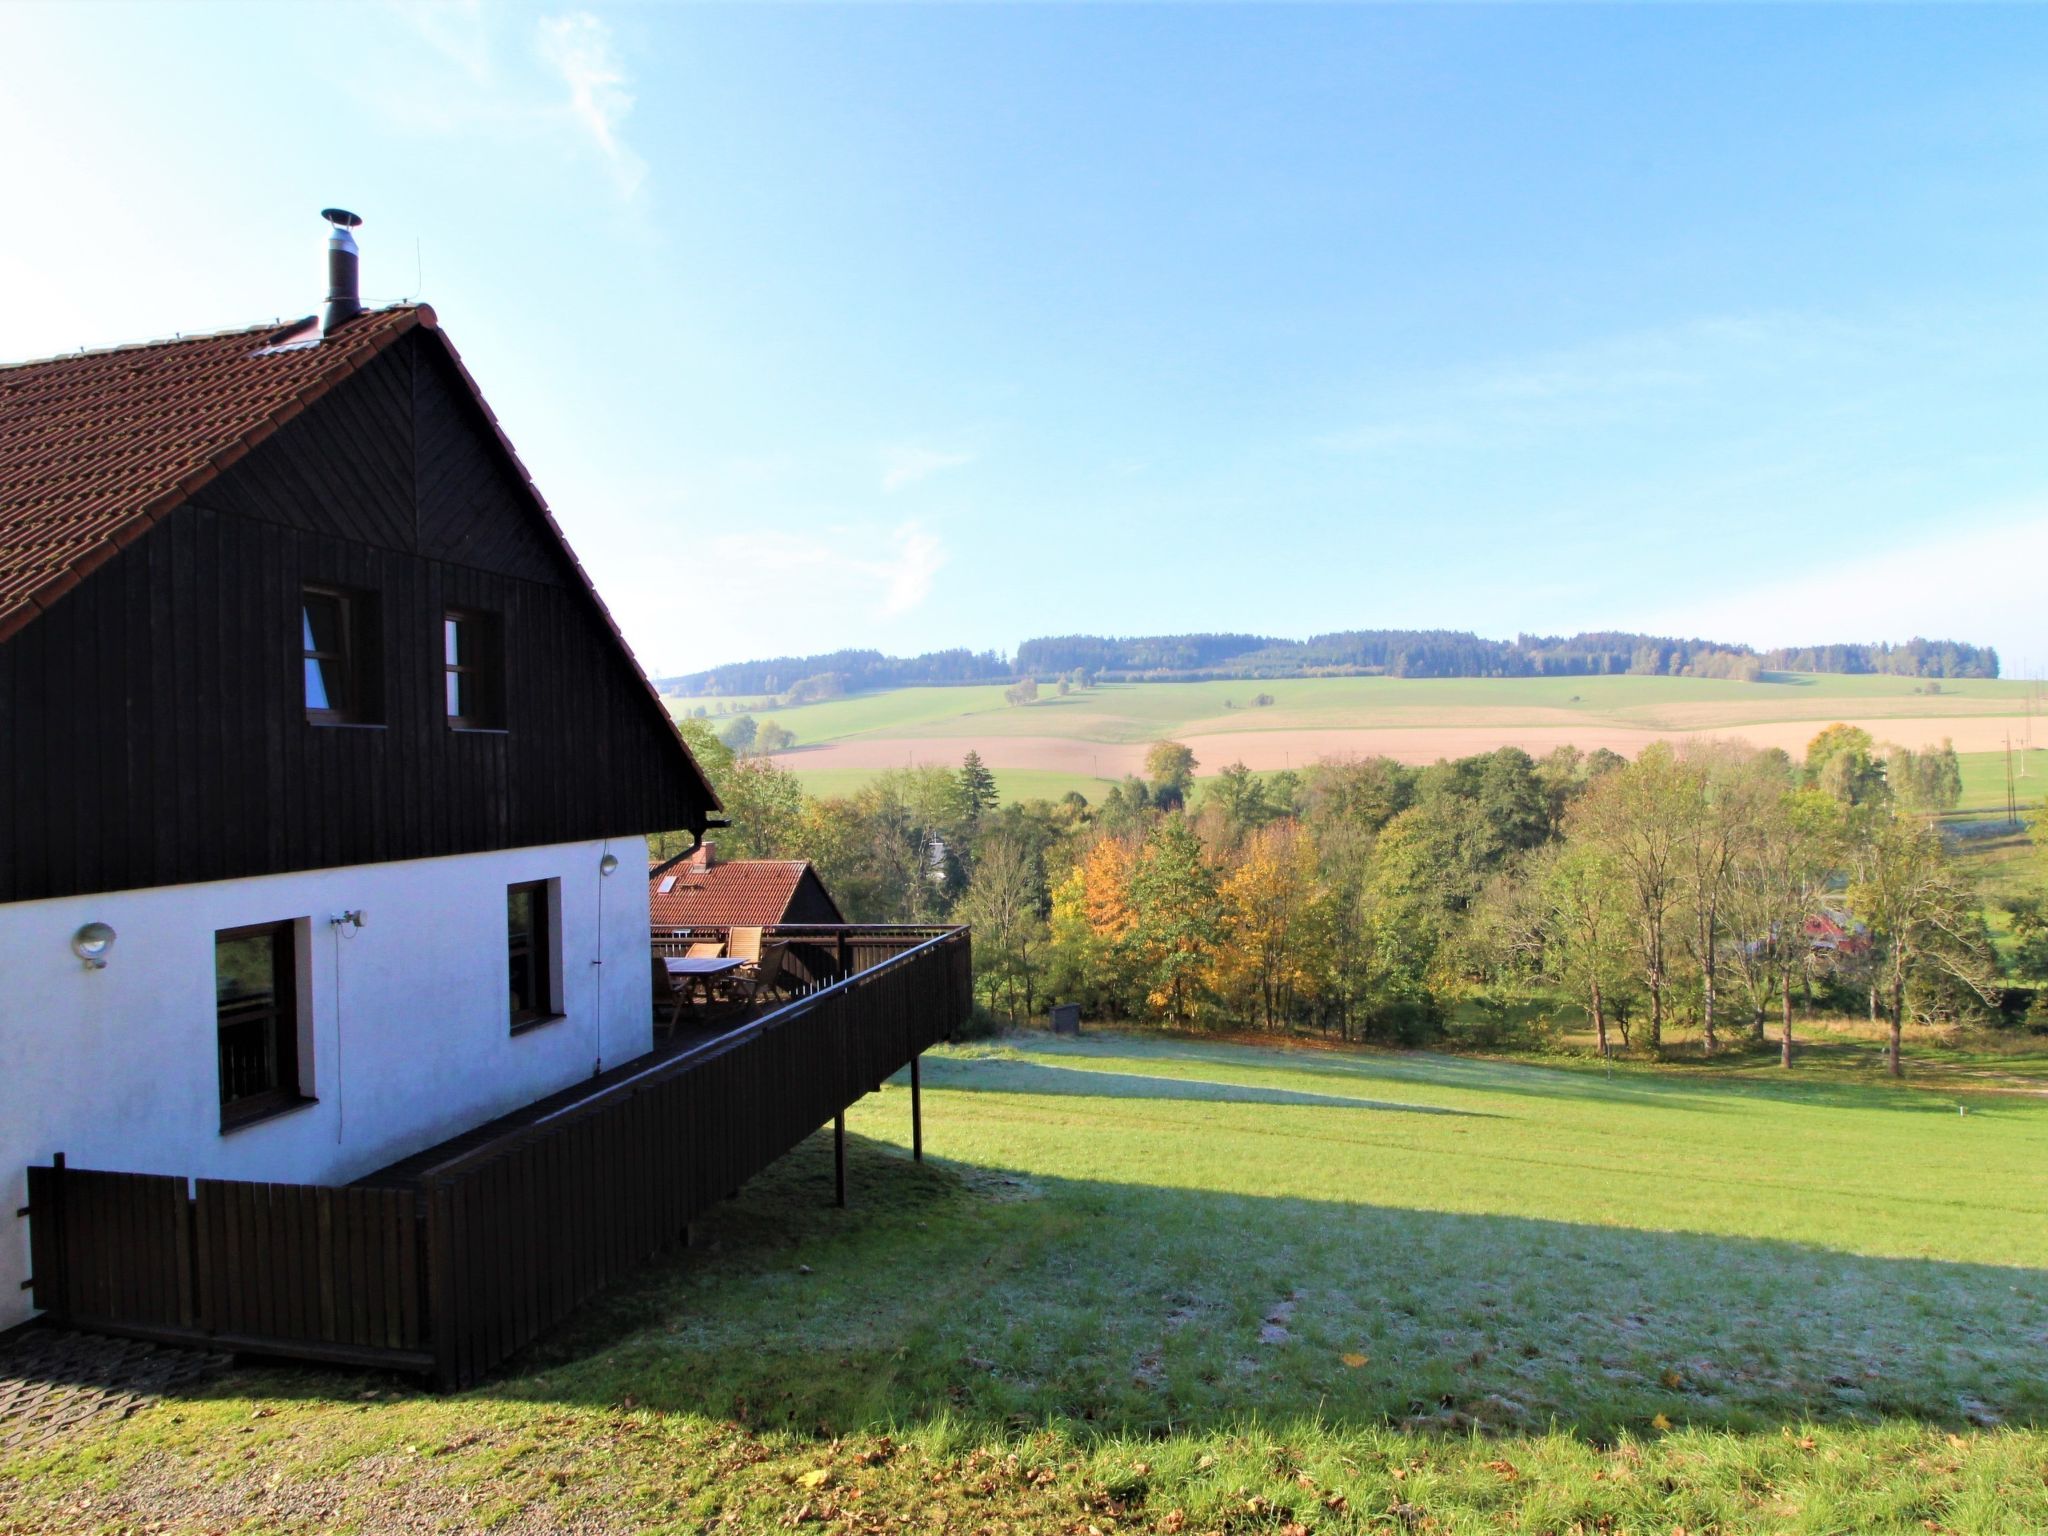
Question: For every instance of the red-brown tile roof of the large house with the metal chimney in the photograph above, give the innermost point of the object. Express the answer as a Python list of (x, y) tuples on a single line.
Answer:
[(97, 447)]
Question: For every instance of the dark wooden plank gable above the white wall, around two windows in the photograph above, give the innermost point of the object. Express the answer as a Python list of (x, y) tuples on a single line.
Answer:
[(153, 722)]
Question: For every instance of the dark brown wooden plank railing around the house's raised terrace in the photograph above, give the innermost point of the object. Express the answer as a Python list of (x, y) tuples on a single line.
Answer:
[(466, 1261)]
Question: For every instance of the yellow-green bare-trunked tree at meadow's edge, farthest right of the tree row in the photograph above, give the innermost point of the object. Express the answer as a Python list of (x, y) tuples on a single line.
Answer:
[(1920, 914)]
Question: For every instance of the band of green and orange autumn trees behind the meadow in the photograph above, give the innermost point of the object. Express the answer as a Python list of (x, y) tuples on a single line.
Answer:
[(1711, 886)]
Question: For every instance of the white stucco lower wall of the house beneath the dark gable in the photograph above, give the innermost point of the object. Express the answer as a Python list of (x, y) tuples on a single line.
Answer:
[(409, 1019)]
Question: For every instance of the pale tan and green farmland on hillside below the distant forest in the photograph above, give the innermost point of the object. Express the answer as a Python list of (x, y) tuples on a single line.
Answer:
[(1097, 736)]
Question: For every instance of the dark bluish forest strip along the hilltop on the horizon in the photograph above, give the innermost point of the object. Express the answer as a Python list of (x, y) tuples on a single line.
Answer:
[(1349, 654)]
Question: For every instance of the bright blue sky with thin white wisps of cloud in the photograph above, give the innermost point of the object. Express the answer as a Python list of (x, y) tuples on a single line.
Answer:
[(919, 327)]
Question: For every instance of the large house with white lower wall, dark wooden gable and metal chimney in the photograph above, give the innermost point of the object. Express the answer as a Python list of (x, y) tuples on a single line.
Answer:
[(318, 753)]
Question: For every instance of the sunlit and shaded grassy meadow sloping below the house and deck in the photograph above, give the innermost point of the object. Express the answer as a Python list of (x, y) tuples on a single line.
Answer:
[(1160, 1285)]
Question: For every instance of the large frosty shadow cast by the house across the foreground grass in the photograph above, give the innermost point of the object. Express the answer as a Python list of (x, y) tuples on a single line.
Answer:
[(996, 1302)]
